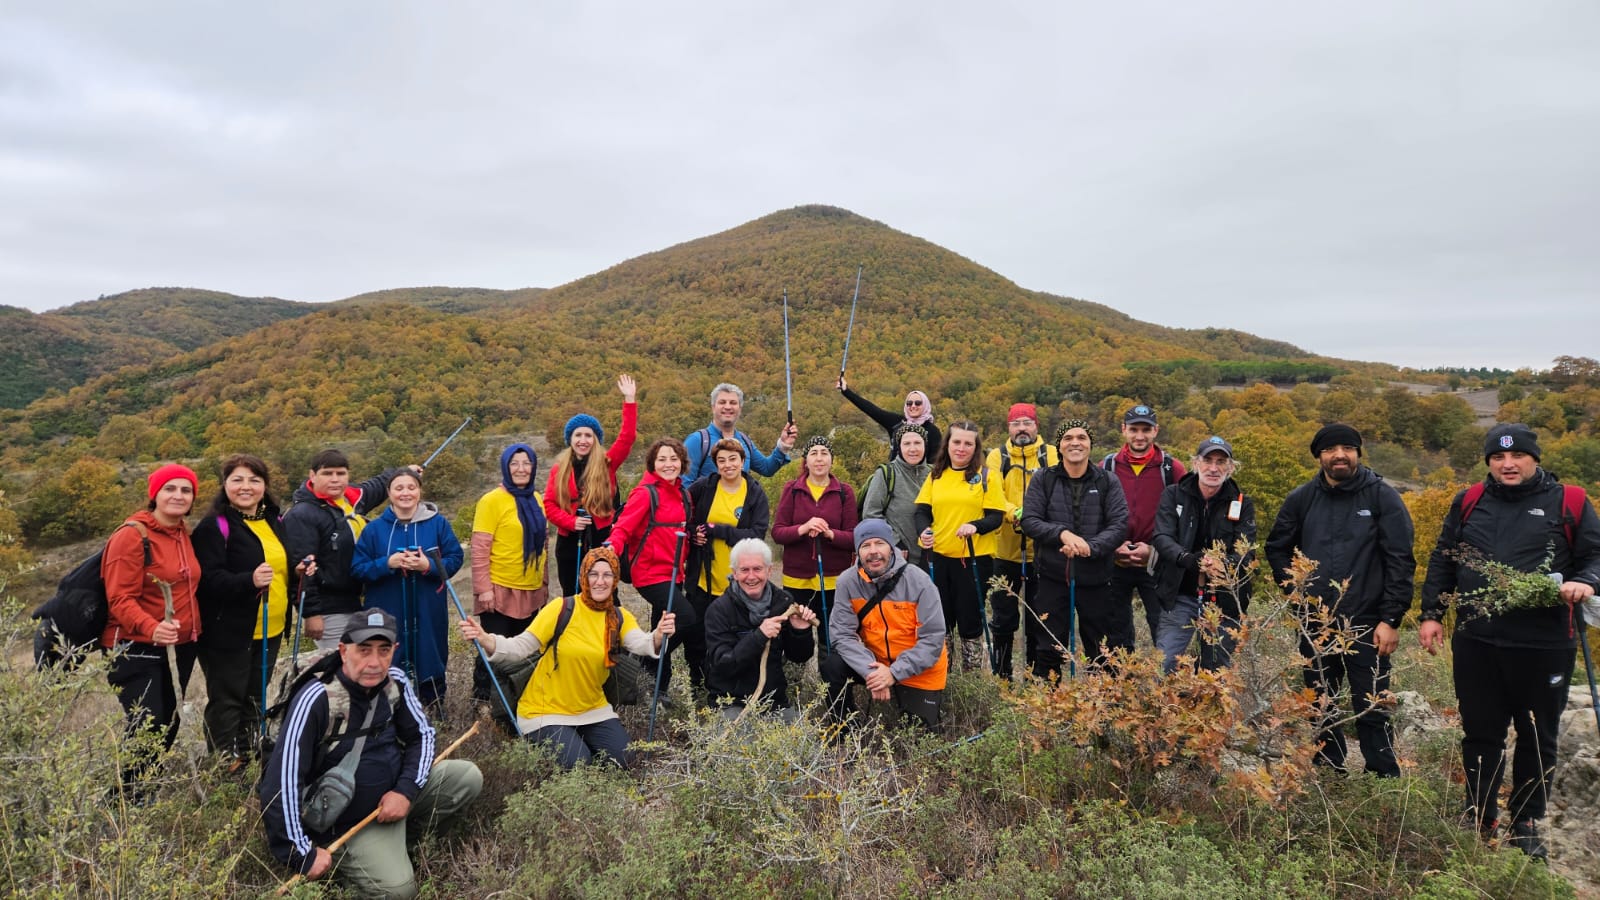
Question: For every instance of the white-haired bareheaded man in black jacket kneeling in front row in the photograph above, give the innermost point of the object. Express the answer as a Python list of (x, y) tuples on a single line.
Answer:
[(742, 627)]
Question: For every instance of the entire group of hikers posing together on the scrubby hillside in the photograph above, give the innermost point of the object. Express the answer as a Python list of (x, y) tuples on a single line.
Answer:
[(887, 592)]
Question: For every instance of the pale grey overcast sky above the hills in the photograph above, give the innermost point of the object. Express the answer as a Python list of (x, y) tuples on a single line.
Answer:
[(1414, 183)]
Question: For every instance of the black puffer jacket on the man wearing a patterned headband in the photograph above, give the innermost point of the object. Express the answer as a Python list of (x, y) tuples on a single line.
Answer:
[(1100, 518)]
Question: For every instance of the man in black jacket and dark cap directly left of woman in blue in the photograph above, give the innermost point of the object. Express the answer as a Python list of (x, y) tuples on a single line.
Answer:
[(324, 523)]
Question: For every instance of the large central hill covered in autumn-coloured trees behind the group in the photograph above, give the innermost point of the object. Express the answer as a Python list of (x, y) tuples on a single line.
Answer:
[(682, 319)]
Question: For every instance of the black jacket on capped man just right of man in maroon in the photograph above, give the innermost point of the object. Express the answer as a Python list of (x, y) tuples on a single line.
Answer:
[(1188, 524)]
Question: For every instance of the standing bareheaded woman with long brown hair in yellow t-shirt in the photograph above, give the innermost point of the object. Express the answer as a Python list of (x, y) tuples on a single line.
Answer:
[(959, 508)]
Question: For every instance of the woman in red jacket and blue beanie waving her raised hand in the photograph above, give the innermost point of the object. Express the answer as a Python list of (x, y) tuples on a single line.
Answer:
[(577, 486)]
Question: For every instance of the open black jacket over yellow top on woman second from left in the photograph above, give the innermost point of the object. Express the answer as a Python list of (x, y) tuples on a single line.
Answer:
[(228, 590)]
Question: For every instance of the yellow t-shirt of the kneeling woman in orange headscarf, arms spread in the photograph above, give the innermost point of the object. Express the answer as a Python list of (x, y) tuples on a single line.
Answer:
[(570, 681)]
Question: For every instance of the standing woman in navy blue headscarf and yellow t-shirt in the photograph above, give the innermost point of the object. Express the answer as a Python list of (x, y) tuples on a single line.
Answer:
[(510, 553)]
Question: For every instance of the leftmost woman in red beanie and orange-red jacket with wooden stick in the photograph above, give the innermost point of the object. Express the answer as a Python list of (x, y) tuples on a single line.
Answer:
[(151, 576)]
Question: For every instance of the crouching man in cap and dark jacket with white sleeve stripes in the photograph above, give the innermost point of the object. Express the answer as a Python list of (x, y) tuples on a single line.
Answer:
[(366, 709)]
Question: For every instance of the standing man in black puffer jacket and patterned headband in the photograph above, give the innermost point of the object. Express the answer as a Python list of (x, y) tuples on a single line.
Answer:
[(1079, 518)]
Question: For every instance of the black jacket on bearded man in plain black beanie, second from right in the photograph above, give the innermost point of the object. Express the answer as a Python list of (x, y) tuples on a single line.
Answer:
[(1358, 529)]
